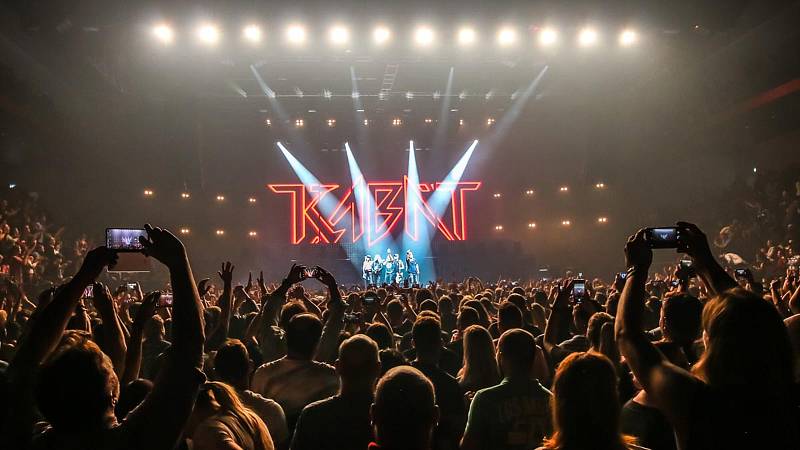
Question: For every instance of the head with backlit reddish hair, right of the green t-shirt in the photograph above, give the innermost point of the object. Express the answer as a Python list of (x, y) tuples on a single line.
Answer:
[(585, 404)]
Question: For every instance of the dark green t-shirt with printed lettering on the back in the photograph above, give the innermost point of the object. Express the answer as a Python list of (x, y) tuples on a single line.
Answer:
[(512, 415)]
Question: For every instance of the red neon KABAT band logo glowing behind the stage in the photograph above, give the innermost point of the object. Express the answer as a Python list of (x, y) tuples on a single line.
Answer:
[(385, 204)]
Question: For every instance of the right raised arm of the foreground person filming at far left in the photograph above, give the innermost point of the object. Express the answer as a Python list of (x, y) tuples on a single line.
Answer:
[(160, 420)]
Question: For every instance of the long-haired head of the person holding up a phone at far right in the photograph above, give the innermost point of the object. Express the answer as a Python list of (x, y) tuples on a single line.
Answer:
[(747, 345)]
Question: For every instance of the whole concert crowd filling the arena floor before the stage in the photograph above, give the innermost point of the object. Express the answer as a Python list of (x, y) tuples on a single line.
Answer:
[(698, 356)]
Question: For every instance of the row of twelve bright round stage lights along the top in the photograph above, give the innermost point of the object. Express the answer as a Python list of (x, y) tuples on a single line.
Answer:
[(296, 35)]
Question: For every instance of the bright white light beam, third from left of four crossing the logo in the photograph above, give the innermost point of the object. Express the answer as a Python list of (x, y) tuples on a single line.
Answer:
[(421, 246)]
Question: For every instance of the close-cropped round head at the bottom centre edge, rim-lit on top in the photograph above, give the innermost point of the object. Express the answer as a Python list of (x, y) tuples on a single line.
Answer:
[(404, 411)]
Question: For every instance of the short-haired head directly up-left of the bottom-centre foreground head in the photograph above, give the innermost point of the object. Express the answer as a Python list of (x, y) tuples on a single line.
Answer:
[(358, 364)]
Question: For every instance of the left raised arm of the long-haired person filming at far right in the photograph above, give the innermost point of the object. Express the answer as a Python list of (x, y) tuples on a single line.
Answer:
[(671, 387)]
